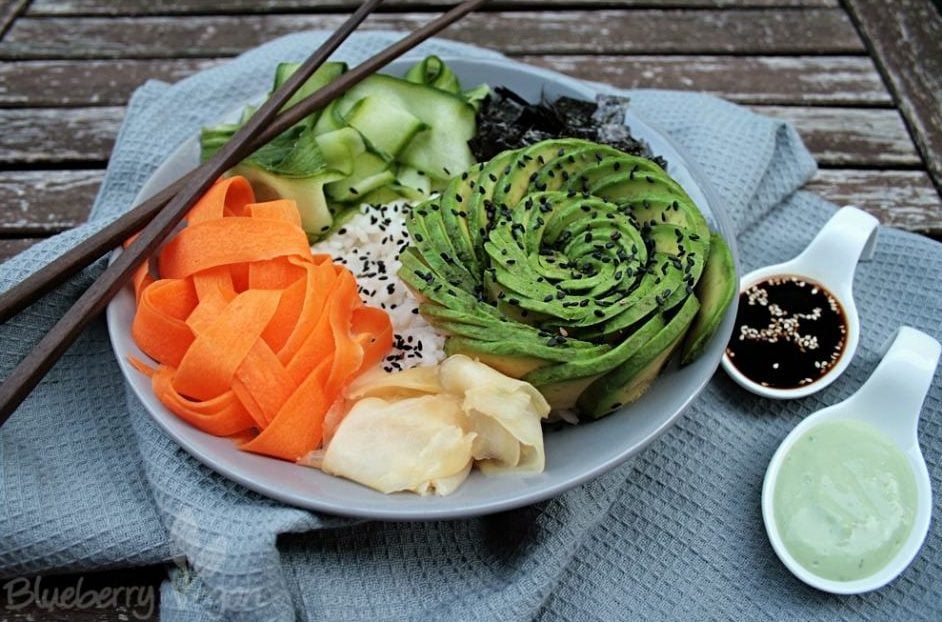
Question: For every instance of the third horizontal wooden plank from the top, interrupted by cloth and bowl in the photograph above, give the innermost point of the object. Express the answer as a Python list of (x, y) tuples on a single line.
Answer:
[(831, 80)]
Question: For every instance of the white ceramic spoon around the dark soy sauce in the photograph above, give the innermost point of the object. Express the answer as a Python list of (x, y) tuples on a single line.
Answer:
[(830, 260)]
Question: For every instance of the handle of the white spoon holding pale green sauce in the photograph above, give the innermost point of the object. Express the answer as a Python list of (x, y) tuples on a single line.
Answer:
[(892, 397)]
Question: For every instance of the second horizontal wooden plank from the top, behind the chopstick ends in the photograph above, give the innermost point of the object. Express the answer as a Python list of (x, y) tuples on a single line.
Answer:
[(778, 31)]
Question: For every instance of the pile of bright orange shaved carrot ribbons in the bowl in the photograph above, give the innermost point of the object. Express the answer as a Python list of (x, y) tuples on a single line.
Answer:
[(254, 338)]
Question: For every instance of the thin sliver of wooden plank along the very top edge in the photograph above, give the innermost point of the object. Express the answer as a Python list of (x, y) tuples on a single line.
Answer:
[(188, 7)]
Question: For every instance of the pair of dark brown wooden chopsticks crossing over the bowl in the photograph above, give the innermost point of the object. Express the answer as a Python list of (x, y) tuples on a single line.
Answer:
[(157, 217)]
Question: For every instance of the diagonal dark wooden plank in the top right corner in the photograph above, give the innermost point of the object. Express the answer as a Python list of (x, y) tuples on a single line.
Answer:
[(906, 39)]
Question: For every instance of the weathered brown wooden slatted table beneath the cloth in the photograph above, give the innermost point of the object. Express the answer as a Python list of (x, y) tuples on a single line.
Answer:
[(860, 79)]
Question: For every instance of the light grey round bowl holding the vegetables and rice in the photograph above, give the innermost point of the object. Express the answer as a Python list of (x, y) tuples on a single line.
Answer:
[(573, 455)]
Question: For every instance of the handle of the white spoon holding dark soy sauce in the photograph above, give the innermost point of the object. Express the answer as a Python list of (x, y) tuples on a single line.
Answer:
[(832, 256)]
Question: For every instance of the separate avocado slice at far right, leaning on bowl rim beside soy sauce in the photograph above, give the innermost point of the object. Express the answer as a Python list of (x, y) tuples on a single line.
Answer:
[(716, 290)]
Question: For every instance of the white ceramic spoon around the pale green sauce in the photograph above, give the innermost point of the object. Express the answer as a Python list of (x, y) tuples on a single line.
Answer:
[(891, 401)]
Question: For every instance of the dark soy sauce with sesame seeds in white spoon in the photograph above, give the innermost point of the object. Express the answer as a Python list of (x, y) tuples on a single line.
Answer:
[(789, 332)]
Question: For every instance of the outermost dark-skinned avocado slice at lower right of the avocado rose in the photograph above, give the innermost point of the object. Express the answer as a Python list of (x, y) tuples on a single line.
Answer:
[(631, 379)]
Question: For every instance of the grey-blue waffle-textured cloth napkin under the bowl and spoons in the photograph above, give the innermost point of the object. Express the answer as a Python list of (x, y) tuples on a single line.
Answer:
[(88, 480)]
